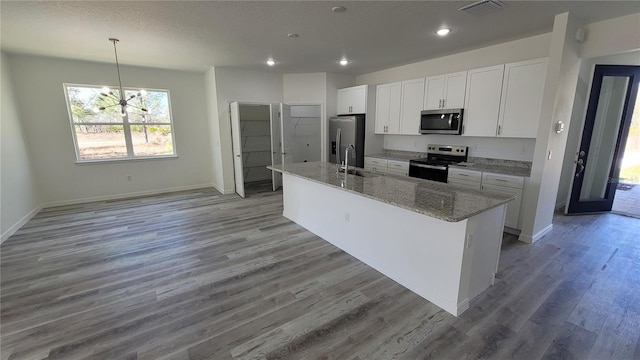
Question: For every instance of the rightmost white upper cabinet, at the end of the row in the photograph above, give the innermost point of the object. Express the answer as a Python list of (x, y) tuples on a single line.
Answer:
[(522, 90)]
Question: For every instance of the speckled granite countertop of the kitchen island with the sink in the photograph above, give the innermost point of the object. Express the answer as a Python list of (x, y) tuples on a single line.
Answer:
[(439, 200)]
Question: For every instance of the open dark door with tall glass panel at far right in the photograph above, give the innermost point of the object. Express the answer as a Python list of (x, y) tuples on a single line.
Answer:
[(611, 103)]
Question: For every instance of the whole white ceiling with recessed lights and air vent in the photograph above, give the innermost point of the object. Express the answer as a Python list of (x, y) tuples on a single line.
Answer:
[(195, 35)]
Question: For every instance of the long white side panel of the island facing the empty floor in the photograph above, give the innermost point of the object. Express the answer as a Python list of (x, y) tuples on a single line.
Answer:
[(423, 254)]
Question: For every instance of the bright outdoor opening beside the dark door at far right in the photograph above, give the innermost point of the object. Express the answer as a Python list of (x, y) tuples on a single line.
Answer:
[(627, 198)]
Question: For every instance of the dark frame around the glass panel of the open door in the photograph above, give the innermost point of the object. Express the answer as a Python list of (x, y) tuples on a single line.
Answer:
[(574, 205)]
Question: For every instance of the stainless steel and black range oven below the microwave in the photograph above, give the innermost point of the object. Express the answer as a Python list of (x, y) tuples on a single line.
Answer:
[(436, 165)]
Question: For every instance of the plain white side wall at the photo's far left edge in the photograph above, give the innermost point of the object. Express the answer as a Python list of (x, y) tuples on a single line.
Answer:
[(19, 196)]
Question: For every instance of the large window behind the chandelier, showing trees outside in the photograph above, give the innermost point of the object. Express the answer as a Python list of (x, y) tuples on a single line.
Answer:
[(110, 135)]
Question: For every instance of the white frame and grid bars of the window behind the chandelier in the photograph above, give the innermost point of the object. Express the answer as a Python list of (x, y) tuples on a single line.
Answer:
[(126, 125)]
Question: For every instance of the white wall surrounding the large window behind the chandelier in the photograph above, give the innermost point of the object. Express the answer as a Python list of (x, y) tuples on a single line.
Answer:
[(45, 120)]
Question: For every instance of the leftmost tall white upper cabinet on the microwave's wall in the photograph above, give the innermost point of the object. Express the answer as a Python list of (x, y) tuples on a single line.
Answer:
[(388, 108)]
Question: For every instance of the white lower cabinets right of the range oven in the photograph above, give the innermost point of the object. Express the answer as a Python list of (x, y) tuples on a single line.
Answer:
[(497, 183)]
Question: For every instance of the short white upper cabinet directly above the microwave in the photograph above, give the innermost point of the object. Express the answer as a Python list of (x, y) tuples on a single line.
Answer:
[(445, 91)]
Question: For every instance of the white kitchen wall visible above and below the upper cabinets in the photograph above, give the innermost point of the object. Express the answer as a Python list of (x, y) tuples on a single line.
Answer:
[(501, 148)]
